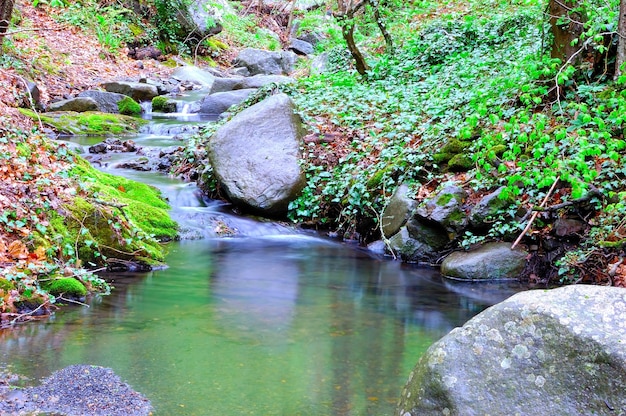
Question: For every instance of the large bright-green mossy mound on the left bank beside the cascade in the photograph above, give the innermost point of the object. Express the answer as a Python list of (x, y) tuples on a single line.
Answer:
[(123, 220)]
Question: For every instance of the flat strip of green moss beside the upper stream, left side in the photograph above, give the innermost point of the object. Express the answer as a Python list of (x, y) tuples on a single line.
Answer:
[(89, 122)]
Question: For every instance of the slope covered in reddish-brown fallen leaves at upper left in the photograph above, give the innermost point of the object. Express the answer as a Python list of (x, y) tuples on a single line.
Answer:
[(61, 59)]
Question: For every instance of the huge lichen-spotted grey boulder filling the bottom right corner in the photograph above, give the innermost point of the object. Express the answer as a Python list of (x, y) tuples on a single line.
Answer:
[(548, 352)]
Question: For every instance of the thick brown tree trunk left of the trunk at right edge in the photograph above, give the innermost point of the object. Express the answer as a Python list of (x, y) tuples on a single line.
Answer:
[(567, 23)]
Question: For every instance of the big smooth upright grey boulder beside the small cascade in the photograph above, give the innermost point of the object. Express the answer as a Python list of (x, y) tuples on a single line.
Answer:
[(255, 156)]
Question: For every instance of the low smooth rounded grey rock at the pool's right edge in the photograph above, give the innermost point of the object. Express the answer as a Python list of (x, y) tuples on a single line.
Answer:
[(491, 261)]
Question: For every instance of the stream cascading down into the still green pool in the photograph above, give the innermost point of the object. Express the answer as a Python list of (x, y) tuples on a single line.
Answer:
[(274, 321)]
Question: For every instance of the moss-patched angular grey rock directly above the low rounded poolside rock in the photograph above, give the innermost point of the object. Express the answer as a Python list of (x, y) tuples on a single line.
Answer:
[(446, 208)]
